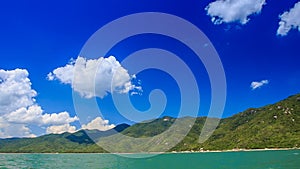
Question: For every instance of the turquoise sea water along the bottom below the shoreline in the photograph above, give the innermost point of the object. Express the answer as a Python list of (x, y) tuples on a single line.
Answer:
[(285, 159)]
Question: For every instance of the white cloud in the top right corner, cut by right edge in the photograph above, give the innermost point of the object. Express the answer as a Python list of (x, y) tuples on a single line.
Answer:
[(289, 20)]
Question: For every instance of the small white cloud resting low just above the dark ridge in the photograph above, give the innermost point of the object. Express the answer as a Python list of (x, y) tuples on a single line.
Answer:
[(99, 124)]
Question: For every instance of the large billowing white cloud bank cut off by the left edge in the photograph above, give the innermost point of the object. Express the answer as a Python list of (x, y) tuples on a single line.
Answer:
[(18, 108)]
